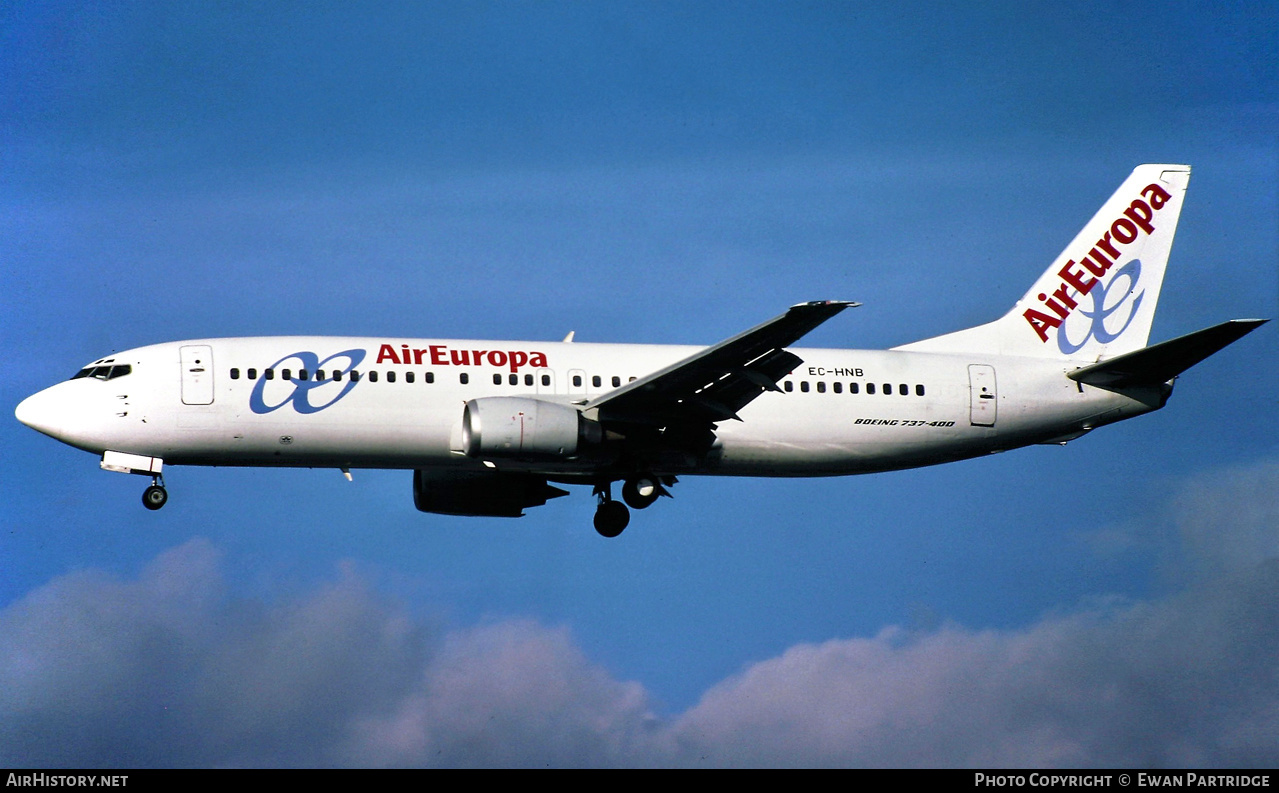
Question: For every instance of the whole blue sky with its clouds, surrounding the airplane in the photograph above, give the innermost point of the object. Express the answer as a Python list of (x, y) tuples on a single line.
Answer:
[(668, 173)]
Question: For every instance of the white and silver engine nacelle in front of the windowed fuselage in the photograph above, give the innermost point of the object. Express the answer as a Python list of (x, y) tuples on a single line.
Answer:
[(519, 427)]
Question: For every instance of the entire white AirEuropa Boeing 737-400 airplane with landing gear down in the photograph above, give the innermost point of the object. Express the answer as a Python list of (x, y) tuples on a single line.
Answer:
[(488, 427)]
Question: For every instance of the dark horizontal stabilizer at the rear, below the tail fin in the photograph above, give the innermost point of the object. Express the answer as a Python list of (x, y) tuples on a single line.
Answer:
[(1165, 361)]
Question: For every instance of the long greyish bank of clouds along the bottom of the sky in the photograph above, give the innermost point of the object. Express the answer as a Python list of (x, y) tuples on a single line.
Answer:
[(171, 670)]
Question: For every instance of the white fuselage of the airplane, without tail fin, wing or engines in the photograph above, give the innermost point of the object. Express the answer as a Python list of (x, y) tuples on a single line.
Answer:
[(210, 404)]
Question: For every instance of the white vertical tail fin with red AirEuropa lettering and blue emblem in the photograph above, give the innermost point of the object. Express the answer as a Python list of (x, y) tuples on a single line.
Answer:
[(1098, 299)]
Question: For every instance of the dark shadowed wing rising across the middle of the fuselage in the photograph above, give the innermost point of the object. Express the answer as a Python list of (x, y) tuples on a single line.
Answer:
[(717, 383)]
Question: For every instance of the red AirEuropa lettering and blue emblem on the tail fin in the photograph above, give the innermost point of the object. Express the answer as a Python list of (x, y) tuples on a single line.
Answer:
[(1084, 277)]
